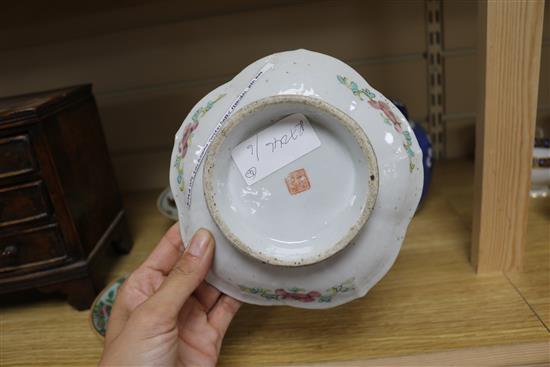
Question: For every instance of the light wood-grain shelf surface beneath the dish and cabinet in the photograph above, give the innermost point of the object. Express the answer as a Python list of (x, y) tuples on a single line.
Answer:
[(431, 307)]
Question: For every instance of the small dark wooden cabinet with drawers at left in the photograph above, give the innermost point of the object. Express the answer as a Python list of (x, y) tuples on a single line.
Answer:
[(59, 201)]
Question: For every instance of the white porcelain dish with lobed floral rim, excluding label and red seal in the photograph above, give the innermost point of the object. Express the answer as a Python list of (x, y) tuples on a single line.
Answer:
[(326, 245)]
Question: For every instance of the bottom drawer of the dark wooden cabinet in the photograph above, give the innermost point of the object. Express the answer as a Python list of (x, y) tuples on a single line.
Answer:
[(34, 247)]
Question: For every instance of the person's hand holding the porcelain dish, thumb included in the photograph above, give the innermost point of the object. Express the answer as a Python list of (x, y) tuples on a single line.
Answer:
[(165, 314)]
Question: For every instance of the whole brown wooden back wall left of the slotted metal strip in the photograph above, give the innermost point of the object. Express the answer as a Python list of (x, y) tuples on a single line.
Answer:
[(150, 70)]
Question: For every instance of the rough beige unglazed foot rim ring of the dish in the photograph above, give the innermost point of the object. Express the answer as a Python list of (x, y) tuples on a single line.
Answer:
[(353, 128)]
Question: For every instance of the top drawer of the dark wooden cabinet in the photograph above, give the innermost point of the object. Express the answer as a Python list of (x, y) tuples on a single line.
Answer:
[(16, 156)]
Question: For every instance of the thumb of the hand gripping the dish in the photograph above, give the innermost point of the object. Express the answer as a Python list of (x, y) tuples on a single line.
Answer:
[(186, 275)]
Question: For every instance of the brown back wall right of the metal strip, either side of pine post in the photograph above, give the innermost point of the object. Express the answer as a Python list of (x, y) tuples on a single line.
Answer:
[(461, 79)]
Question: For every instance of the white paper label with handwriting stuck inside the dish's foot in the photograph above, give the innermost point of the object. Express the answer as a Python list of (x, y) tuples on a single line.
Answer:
[(275, 147)]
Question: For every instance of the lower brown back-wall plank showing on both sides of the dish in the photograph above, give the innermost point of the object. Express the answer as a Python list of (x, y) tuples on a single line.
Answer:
[(165, 111)]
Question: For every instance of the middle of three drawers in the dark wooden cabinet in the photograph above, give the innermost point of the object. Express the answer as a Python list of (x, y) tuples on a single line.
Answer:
[(23, 203)]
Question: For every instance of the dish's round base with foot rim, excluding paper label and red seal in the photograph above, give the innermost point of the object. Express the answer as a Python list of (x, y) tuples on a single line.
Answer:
[(273, 225)]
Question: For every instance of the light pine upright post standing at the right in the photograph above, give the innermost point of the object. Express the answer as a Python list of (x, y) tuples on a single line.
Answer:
[(510, 40)]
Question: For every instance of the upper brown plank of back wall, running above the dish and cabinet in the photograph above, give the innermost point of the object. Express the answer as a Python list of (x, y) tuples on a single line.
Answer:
[(216, 46)]
